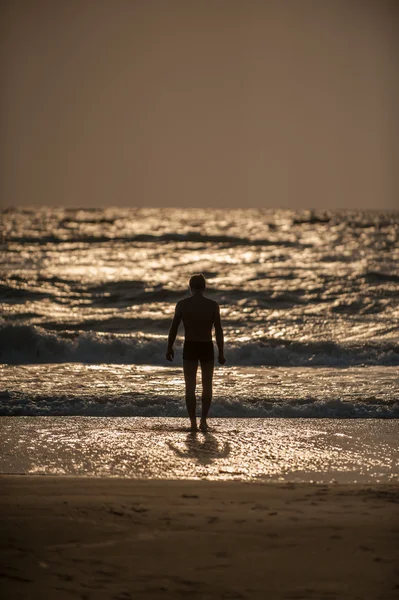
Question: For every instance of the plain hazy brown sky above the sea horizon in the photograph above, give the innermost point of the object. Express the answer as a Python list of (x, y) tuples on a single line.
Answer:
[(280, 103)]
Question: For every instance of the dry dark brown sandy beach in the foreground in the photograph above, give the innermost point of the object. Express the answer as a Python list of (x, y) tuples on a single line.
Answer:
[(67, 537)]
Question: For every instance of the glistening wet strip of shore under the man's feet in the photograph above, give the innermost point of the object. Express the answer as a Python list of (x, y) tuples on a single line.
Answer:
[(241, 449)]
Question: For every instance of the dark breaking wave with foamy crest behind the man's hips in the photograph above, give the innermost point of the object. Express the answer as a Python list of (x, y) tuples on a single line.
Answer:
[(24, 344)]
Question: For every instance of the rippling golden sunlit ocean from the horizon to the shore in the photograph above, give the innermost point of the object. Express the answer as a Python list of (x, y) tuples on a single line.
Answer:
[(309, 305)]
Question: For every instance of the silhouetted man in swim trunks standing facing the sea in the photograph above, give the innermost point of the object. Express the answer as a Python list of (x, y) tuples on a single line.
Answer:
[(199, 315)]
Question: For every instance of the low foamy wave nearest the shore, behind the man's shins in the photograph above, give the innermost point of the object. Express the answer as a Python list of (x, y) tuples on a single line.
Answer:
[(135, 405)]
